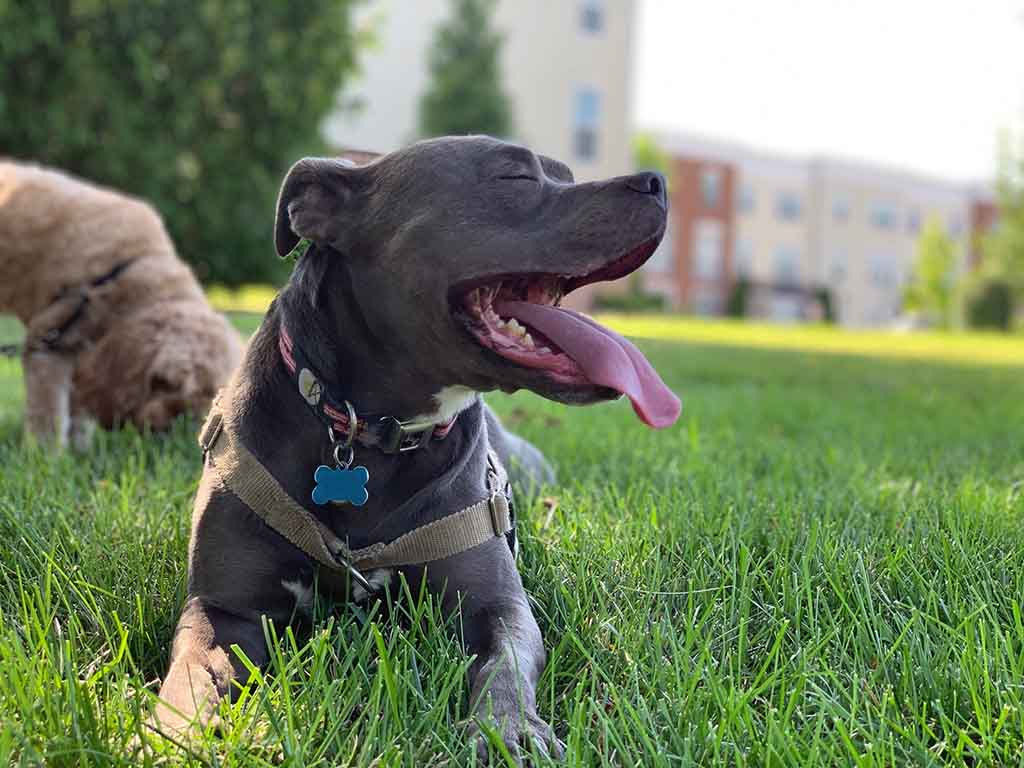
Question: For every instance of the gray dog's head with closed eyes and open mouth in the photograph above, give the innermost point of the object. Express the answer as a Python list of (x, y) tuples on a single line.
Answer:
[(455, 253)]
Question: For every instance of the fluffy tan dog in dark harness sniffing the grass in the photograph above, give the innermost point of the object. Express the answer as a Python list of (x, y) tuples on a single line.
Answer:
[(118, 328)]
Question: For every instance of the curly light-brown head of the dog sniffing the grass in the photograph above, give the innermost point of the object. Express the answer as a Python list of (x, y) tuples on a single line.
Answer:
[(157, 364)]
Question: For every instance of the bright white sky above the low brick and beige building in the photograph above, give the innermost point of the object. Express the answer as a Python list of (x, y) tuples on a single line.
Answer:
[(924, 86)]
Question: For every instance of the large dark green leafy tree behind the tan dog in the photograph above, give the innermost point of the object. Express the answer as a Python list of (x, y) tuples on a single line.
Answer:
[(198, 106)]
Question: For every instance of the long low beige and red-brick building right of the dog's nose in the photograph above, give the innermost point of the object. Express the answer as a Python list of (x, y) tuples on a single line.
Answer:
[(797, 231)]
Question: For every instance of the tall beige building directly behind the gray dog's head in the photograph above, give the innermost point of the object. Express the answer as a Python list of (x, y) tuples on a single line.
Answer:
[(567, 66)]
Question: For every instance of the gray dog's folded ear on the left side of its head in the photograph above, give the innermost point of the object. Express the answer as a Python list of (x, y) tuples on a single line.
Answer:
[(314, 198)]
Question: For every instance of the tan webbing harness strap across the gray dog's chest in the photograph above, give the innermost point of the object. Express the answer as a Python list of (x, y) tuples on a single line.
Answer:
[(239, 472)]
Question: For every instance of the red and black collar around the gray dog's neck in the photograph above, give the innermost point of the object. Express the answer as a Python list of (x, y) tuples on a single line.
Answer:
[(338, 415)]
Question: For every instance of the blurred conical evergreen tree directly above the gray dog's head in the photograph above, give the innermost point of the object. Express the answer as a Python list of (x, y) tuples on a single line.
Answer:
[(466, 94)]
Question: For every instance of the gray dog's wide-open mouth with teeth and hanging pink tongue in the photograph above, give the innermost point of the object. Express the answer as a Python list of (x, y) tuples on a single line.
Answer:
[(519, 318)]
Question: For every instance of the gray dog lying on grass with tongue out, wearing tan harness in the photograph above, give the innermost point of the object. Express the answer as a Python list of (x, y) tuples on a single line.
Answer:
[(353, 444)]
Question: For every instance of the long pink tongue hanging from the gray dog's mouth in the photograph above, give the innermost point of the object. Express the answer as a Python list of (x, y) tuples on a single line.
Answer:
[(605, 357)]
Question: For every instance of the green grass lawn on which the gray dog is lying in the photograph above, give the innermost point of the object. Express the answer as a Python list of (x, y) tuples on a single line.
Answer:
[(822, 565)]
